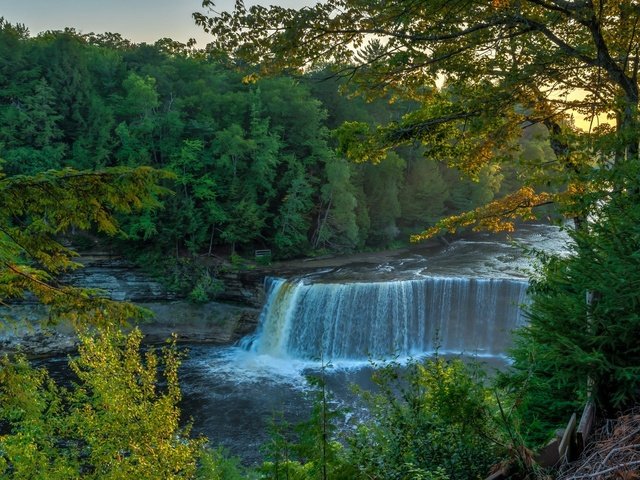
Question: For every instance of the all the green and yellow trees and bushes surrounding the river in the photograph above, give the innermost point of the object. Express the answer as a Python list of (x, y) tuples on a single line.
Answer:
[(335, 128)]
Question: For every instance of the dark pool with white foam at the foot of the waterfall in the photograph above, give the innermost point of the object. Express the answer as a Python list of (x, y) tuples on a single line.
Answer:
[(231, 395)]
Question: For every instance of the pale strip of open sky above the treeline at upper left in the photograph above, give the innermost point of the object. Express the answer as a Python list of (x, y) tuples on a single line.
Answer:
[(136, 20)]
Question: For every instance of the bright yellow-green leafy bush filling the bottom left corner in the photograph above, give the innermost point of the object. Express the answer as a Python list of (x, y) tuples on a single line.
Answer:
[(116, 423)]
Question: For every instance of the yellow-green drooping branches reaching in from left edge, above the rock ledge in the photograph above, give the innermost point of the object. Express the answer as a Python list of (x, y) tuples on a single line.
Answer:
[(34, 210)]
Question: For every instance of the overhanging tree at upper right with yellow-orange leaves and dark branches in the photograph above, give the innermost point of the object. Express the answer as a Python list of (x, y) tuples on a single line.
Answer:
[(500, 64)]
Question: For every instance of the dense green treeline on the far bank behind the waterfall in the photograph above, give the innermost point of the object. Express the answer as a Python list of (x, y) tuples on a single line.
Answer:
[(254, 164)]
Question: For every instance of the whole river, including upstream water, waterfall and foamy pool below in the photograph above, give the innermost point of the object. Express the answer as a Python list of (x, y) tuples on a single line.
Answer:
[(231, 393)]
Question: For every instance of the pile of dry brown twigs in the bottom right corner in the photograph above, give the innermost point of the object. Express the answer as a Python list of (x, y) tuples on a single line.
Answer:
[(614, 453)]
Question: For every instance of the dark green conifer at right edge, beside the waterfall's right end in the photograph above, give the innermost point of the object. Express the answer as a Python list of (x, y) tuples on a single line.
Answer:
[(569, 340)]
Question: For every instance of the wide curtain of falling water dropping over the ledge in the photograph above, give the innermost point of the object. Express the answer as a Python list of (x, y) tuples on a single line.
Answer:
[(382, 319)]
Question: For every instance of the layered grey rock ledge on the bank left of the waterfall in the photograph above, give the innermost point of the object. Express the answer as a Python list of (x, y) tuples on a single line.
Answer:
[(22, 325)]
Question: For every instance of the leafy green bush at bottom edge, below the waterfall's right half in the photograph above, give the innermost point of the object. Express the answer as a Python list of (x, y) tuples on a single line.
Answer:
[(431, 420)]
